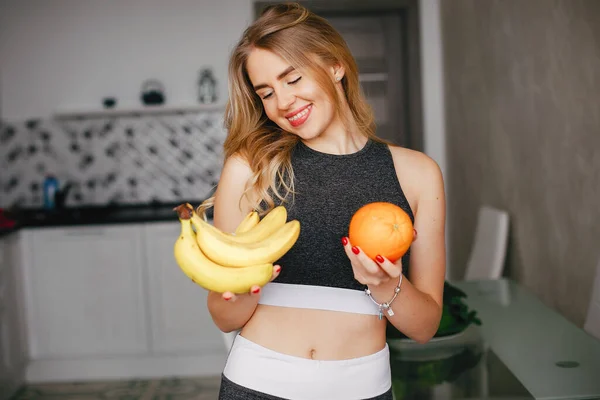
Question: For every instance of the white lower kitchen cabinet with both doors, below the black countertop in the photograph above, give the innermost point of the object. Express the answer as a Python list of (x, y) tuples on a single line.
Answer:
[(109, 302)]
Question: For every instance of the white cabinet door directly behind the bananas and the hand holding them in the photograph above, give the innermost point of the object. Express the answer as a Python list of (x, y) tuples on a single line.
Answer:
[(181, 322)]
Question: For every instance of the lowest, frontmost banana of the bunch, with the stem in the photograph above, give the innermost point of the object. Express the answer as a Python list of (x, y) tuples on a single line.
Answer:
[(209, 275)]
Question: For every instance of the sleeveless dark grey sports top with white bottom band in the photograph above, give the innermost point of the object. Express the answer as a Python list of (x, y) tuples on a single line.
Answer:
[(329, 189)]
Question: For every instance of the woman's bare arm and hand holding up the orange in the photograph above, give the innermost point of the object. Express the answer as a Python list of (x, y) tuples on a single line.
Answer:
[(418, 306)]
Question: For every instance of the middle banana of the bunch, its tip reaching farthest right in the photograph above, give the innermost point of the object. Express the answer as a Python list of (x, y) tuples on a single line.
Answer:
[(226, 251)]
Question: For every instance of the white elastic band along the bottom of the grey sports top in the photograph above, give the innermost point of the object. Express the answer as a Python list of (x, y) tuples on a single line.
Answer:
[(317, 297)]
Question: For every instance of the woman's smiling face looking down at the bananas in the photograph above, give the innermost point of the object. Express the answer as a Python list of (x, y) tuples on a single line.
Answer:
[(292, 99)]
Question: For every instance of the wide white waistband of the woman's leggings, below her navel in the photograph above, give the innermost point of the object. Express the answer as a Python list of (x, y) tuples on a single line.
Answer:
[(267, 371)]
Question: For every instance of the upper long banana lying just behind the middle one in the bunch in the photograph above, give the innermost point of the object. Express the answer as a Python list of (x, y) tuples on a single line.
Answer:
[(271, 222)]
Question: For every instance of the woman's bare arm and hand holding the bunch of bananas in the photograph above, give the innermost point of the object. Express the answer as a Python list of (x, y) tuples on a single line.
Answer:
[(228, 311)]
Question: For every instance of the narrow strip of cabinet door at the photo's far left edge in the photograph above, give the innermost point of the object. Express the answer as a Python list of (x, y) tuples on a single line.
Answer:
[(13, 353)]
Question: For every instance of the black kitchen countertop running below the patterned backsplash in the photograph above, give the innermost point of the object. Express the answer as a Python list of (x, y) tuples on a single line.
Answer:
[(95, 215)]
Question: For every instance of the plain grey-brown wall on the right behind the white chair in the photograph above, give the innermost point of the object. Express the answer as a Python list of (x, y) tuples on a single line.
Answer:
[(523, 134)]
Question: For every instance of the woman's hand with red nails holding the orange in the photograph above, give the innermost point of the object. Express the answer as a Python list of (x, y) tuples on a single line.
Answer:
[(372, 272)]
